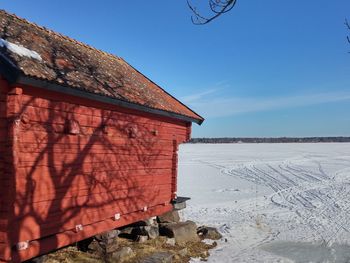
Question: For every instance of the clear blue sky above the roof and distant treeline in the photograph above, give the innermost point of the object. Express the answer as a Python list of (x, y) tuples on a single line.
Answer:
[(267, 68)]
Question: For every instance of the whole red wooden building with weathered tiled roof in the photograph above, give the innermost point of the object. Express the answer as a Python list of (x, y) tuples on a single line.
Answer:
[(87, 142)]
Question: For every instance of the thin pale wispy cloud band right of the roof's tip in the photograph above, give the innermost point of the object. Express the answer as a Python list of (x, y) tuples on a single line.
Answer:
[(211, 106)]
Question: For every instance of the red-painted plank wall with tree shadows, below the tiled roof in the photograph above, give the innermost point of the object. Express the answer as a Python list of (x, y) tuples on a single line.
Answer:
[(78, 162)]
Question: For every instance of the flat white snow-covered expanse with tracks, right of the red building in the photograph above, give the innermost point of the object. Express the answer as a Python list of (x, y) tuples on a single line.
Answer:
[(272, 202)]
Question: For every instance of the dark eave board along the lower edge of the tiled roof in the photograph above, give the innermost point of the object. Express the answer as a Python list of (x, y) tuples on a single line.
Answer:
[(25, 80)]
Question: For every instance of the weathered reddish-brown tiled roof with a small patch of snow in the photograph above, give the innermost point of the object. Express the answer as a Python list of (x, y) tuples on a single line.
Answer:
[(30, 54)]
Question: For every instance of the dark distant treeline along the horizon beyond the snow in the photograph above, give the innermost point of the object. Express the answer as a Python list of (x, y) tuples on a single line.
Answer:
[(270, 140)]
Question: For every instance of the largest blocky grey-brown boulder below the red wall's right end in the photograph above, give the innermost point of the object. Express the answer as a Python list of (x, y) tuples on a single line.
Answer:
[(183, 232)]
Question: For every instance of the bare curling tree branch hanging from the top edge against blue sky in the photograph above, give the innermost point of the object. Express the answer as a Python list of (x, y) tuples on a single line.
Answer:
[(217, 7)]
